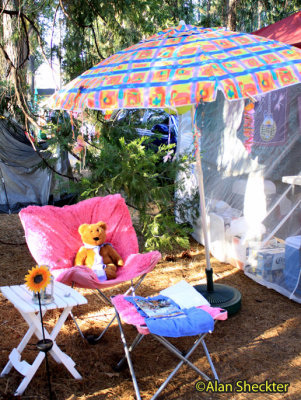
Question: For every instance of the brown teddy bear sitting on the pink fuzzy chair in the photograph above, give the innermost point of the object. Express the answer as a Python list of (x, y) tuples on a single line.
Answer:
[(96, 253)]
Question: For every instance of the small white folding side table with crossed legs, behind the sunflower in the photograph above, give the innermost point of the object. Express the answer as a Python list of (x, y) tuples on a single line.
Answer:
[(64, 298)]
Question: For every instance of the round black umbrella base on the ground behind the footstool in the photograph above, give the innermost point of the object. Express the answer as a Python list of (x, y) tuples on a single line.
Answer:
[(222, 296)]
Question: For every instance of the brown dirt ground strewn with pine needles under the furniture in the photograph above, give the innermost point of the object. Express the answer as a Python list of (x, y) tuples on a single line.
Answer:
[(261, 342)]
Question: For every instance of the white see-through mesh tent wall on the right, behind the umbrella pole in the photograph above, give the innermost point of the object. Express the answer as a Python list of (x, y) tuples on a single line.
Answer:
[(251, 164)]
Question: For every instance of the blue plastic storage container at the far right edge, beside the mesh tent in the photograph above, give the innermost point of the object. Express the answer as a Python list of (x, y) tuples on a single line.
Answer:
[(292, 268)]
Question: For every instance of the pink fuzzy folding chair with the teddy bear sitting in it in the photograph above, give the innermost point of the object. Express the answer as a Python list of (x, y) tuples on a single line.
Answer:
[(52, 237)]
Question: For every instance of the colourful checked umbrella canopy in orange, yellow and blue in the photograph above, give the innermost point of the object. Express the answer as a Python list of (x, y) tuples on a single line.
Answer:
[(182, 66)]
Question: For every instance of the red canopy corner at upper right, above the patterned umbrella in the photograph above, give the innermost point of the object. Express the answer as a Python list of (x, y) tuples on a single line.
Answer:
[(288, 30)]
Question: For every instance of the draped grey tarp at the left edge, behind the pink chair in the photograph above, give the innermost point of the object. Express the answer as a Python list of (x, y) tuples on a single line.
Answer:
[(23, 181)]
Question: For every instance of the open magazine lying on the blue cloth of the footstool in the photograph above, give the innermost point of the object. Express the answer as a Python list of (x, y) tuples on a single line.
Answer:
[(158, 308)]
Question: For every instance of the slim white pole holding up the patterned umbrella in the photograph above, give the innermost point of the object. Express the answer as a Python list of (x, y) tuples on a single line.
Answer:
[(199, 173)]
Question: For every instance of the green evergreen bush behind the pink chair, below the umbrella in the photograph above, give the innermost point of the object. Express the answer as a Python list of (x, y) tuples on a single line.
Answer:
[(120, 162)]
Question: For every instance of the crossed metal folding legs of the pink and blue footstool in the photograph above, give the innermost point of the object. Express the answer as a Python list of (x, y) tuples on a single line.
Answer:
[(183, 357)]
